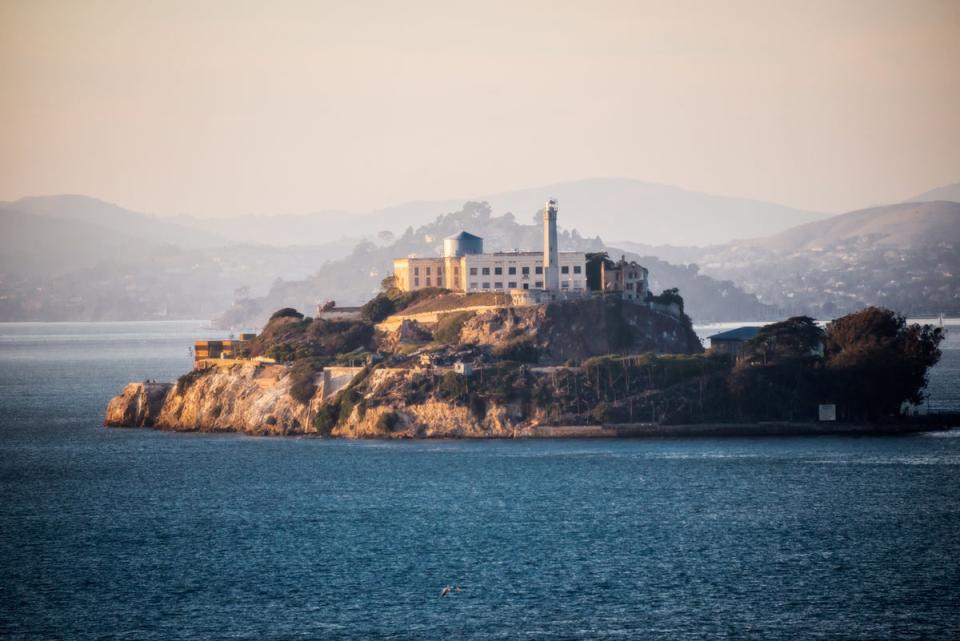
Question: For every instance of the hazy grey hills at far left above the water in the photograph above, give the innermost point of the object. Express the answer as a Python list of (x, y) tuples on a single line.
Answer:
[(74, 258)]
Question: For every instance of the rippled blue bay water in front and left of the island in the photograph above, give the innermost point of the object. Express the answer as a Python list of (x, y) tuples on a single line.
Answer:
[(135, 534)]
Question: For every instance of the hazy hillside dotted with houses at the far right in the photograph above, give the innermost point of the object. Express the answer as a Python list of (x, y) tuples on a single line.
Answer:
[(905, 257)]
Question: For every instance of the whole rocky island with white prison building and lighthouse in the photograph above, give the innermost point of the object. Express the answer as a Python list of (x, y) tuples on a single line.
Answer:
[(539, 344)]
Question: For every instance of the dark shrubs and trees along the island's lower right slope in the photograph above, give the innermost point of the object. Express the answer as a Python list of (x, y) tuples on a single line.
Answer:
[(872, 363)]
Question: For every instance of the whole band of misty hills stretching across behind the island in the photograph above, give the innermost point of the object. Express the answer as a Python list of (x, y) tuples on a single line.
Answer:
[(79, 258)]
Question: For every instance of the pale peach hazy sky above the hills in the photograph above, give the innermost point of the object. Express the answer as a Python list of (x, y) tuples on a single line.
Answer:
[(216, 108)]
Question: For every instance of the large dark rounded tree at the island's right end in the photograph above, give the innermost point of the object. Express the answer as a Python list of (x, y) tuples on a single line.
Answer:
[(877, 362)]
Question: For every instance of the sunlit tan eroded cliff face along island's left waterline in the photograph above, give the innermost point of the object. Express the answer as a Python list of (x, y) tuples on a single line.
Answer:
[(256, 399)]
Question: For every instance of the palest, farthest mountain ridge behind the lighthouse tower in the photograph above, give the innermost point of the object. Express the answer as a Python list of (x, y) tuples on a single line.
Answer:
[(618, 209)]
